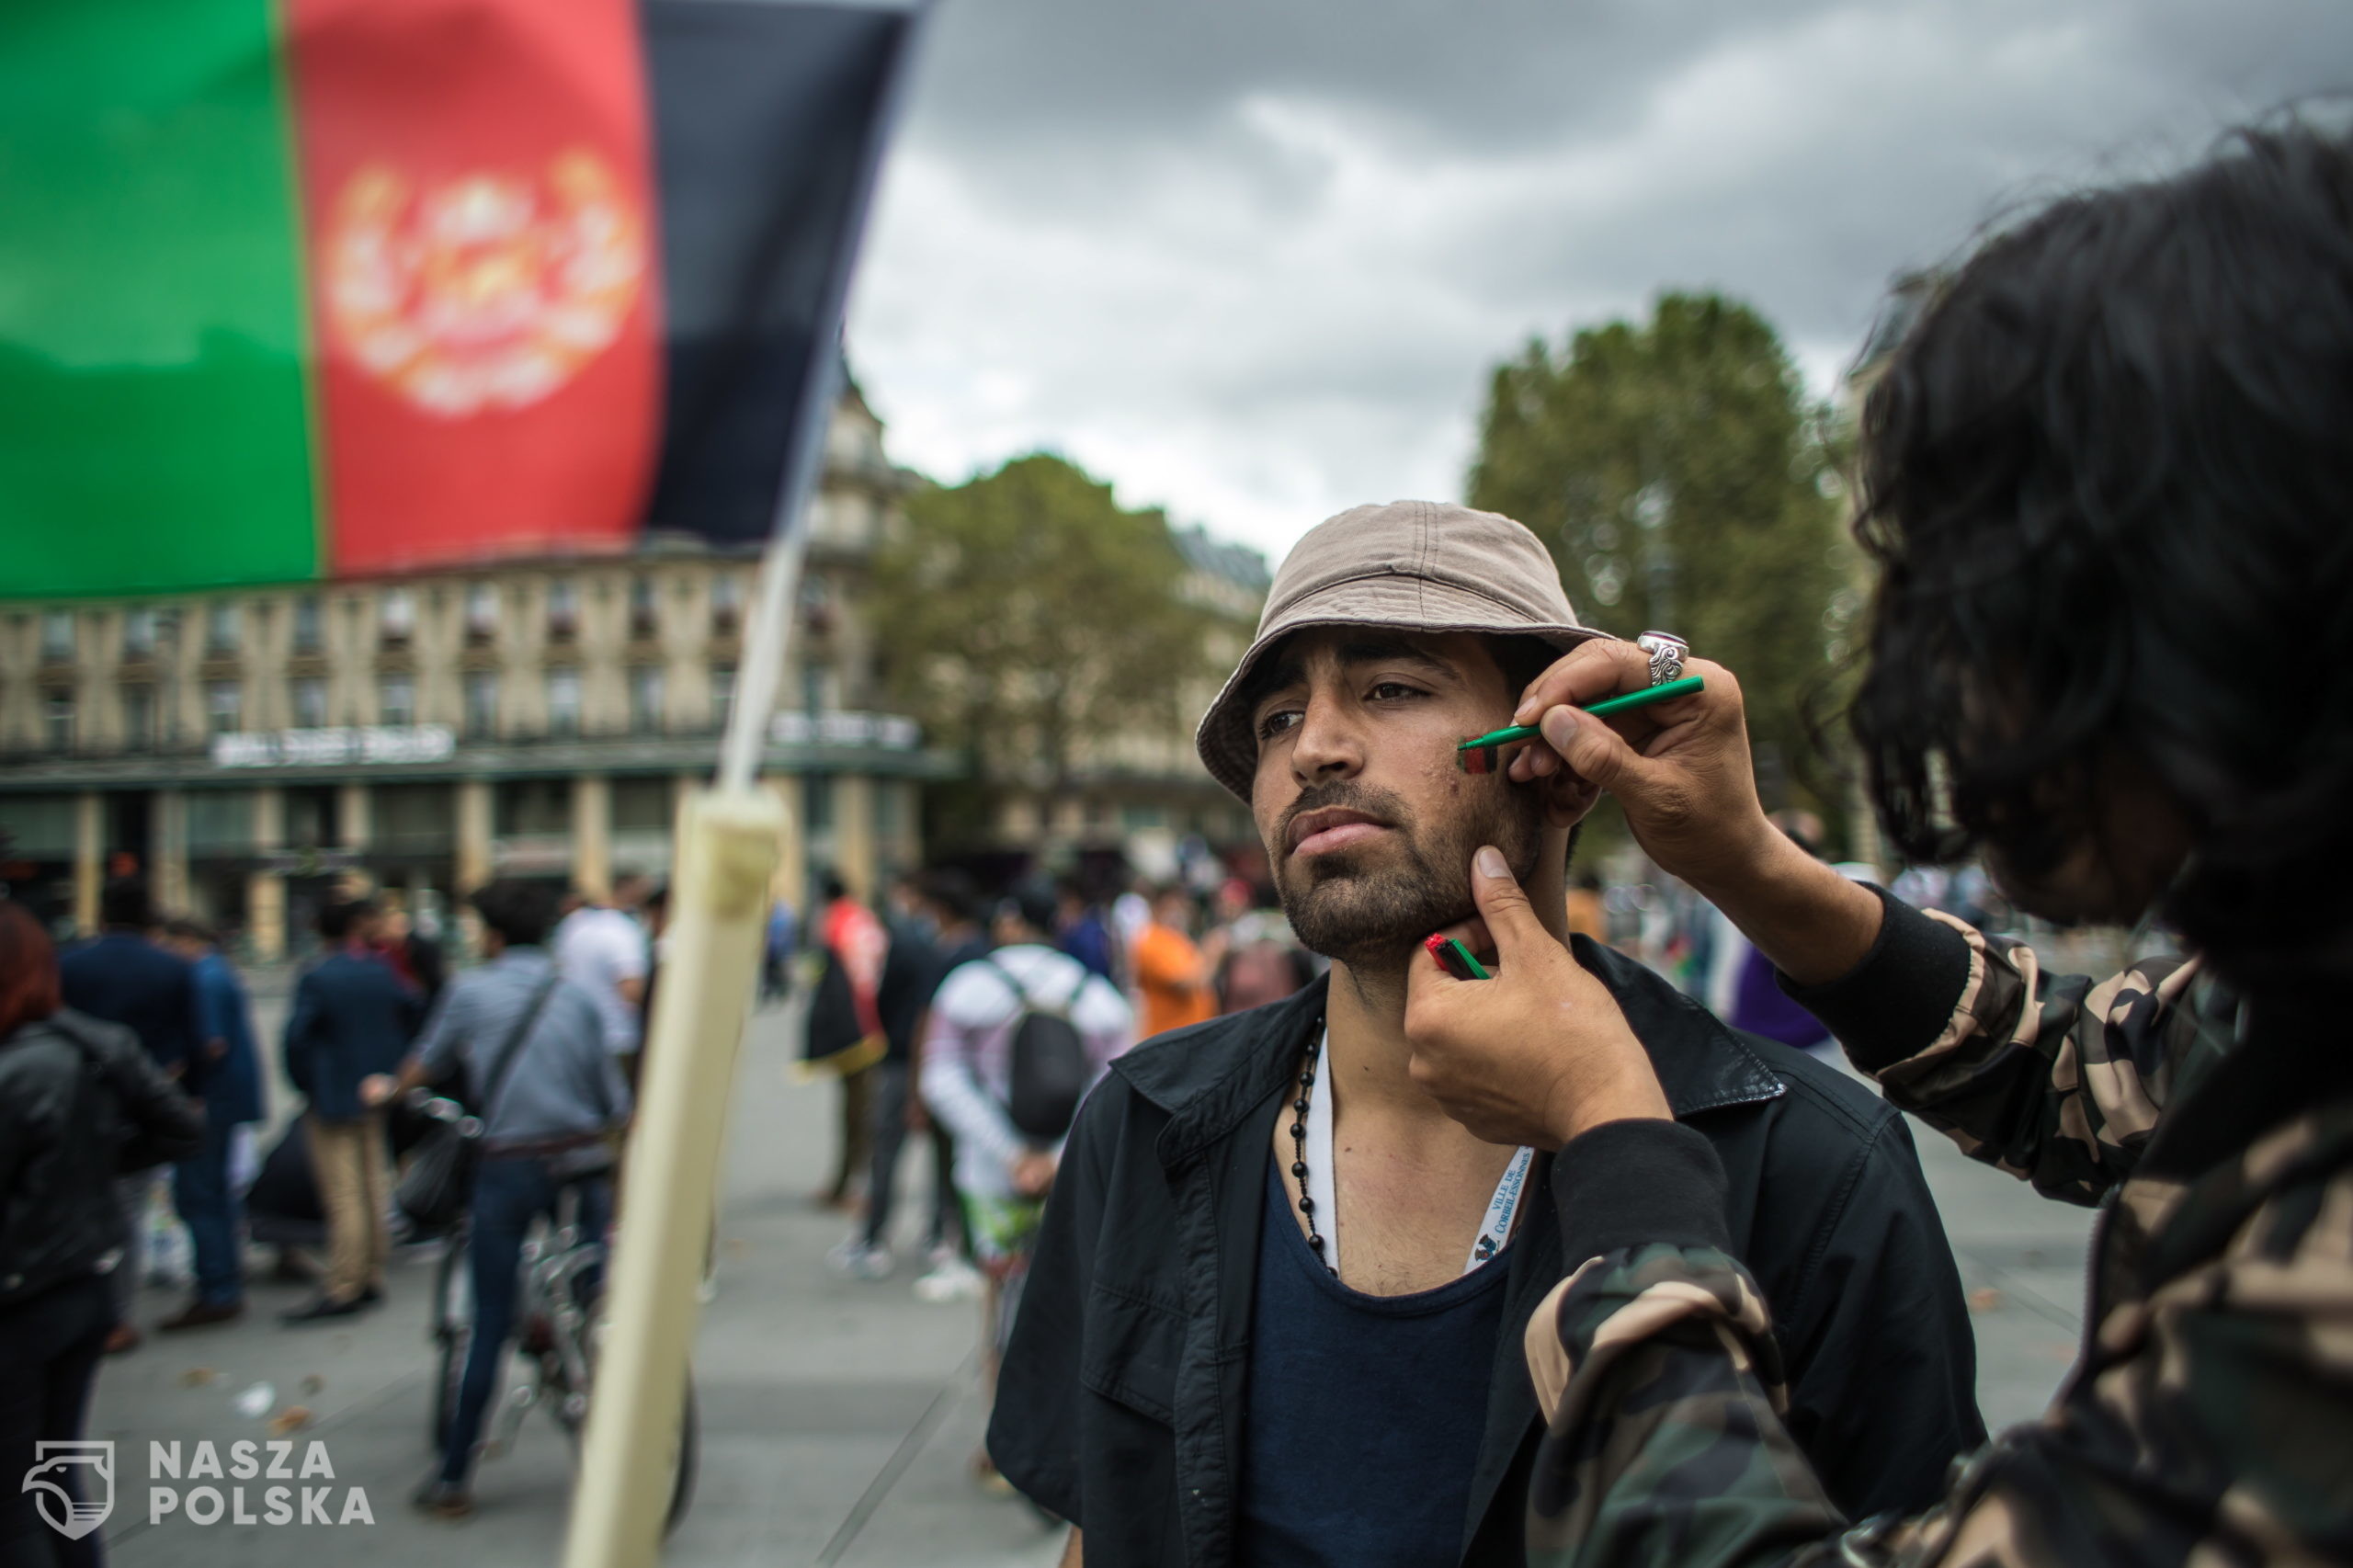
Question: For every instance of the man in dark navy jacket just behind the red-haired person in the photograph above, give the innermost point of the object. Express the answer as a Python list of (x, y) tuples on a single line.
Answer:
[(128, 981)]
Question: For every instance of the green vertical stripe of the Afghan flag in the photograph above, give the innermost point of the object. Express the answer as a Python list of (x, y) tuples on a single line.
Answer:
[(154, 423)]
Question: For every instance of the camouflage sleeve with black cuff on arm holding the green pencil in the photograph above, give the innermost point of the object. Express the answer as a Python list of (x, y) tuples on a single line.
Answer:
[(2053, 1079)]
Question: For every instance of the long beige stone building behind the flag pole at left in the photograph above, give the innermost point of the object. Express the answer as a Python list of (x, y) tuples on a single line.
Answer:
[(253, 748)]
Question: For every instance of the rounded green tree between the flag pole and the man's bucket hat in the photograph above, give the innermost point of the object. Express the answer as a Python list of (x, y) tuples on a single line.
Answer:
[(1027, 616)]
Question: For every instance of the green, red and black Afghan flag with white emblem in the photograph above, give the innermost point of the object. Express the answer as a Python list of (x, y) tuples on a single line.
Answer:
[(326, 288)]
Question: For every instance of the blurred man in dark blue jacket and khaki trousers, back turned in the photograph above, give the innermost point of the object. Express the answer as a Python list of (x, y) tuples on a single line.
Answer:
[(352, 1021)]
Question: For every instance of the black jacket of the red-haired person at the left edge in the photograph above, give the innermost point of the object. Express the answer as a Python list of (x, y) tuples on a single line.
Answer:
[(79, 1105)]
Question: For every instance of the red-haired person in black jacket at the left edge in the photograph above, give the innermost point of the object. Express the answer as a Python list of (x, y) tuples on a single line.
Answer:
[(81, 1101)]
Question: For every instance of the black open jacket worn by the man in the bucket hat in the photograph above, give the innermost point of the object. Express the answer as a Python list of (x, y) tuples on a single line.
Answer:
[(1121, 1400)]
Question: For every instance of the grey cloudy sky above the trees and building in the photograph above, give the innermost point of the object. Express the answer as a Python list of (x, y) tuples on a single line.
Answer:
[(1255, 258)]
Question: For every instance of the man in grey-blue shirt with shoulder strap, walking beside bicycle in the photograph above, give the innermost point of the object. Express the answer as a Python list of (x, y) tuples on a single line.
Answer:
[(552, 1098)]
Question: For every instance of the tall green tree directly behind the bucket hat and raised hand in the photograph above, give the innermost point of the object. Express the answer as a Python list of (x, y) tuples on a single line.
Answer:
[(1681, 481)]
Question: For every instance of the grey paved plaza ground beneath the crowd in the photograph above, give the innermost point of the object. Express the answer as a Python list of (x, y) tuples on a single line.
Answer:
[(836, 1416)]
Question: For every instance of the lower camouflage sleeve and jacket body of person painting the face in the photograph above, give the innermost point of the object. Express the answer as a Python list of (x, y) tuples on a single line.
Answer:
[(2206, 1426)]
